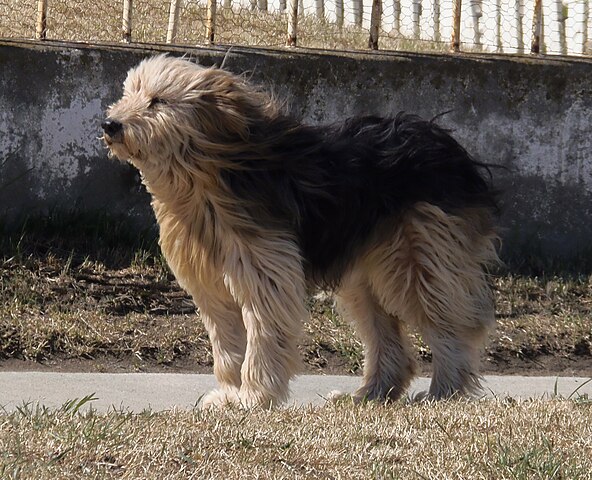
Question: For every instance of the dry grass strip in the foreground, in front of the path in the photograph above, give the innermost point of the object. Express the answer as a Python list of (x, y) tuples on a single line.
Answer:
[(493, 439)]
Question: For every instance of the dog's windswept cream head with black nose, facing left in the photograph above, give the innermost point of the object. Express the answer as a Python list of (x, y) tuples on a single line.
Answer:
[(173, 109)]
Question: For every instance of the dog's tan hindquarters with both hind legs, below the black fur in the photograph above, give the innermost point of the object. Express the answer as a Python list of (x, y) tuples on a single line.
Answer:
[(428, 274)]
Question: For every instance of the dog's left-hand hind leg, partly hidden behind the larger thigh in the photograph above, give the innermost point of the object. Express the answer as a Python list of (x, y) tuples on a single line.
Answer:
[(388, 362)]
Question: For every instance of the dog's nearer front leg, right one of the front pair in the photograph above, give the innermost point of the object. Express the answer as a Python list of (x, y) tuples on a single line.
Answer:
[(267, 279)]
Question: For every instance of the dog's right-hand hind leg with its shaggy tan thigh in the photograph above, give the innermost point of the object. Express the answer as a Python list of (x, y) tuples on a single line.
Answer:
[(432, 273)]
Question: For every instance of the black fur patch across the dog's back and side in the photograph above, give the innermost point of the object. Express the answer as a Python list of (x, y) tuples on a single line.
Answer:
[(331, 186)]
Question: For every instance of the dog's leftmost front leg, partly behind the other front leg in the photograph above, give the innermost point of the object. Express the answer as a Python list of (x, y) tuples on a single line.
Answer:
[(222, 318)]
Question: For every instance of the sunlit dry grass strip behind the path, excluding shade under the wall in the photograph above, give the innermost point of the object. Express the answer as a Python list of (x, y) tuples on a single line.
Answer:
[(51, 309)]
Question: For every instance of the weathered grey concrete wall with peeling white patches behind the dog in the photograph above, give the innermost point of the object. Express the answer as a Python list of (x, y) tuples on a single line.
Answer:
[(533, 116)]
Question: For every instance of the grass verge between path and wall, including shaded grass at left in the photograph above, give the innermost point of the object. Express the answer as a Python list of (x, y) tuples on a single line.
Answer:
[(87, 290)]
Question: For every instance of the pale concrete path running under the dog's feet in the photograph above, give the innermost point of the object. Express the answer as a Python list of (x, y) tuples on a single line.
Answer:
[(156, 391)]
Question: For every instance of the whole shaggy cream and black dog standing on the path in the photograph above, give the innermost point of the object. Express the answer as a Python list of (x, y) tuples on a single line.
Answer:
[(255, 209)]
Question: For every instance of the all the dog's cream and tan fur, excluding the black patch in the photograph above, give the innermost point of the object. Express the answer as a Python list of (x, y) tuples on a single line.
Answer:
[(249, 283)]
